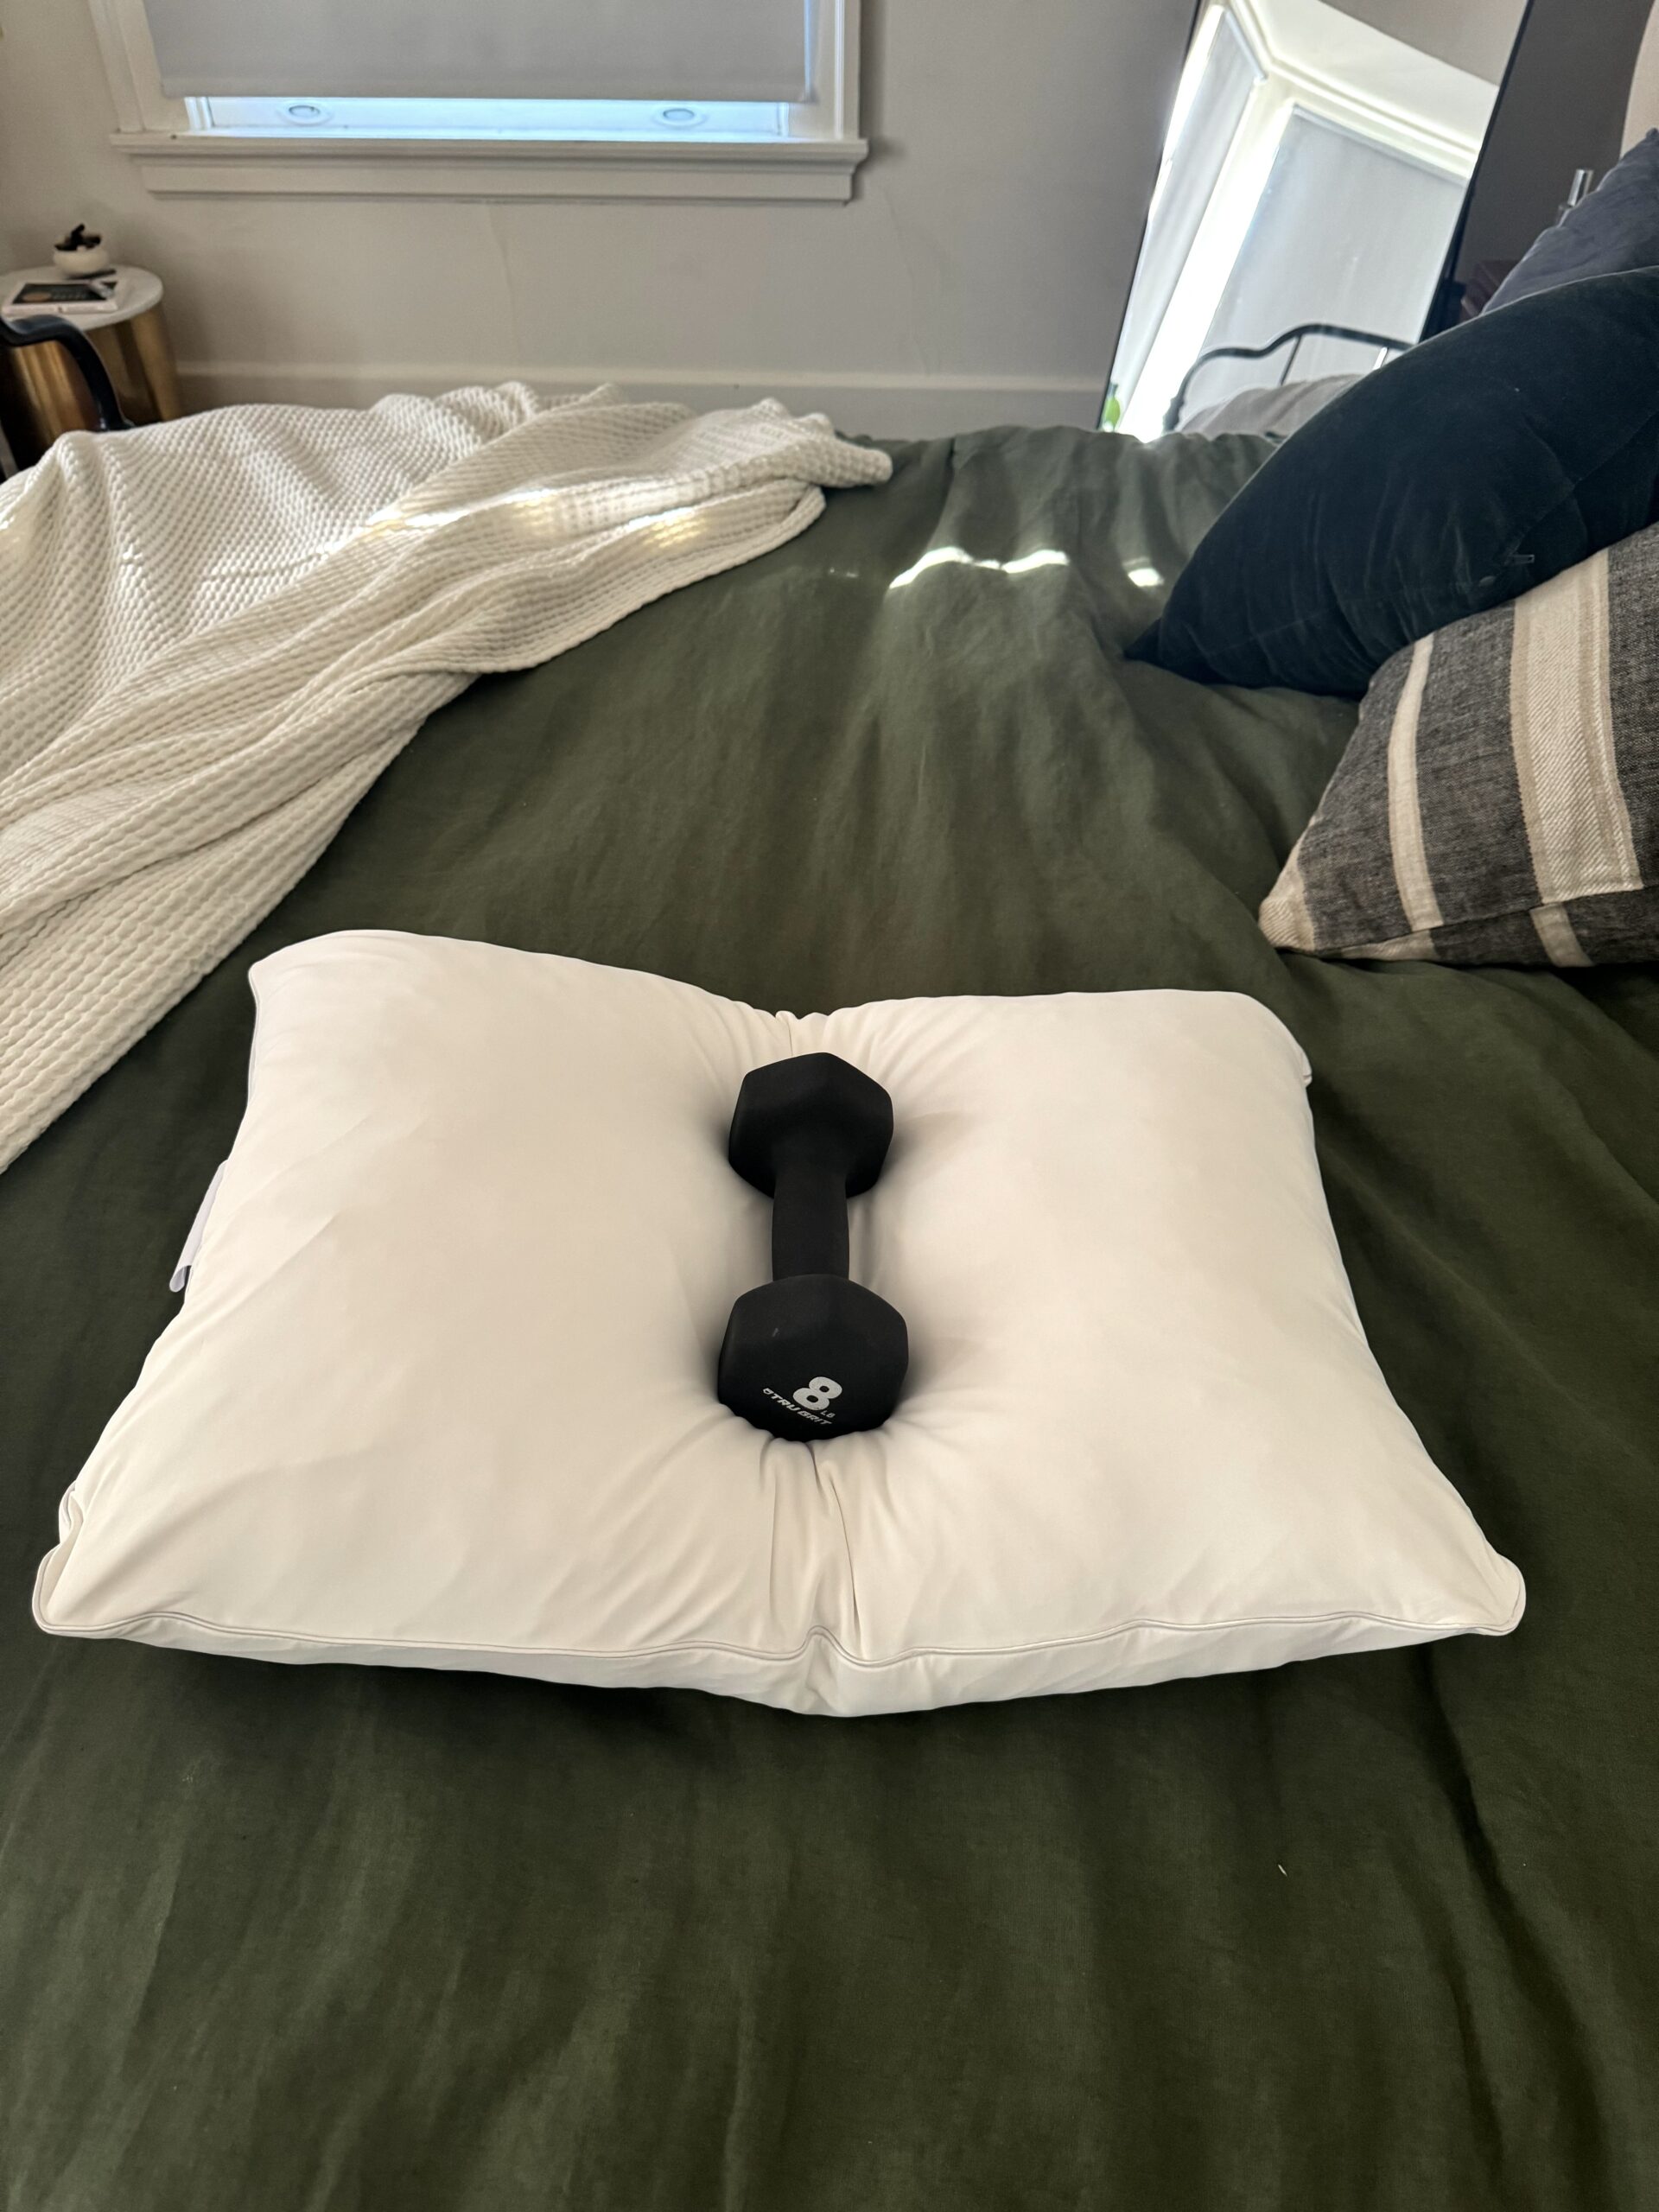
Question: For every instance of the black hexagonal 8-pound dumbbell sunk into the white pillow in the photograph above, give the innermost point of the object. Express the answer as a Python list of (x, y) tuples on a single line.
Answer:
[(813, 1355)]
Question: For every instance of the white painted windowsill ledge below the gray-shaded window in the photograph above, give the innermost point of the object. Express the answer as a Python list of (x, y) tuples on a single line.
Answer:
[(357, 167)]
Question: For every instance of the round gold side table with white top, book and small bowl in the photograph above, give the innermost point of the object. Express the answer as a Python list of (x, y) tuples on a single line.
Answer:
[(121, 311)]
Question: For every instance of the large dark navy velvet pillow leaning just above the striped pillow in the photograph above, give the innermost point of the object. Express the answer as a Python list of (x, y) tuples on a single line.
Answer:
[(1454, 479)]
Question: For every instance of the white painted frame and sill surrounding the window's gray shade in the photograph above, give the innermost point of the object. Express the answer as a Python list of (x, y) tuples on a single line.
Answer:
[(178, 145)]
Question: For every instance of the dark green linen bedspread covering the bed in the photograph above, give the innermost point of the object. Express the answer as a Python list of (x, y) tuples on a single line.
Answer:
[(1357, 1934)]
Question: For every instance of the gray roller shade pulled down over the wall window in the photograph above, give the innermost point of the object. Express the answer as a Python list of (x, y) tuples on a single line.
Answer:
[(481, 50)]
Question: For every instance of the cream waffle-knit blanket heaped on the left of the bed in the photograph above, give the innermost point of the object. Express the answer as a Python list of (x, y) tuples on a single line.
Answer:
[(216, 636)]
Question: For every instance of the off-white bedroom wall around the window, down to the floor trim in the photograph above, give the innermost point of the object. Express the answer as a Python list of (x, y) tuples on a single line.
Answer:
[(977, 278)]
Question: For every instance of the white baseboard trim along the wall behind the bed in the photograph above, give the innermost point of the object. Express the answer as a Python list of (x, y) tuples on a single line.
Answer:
[(873, 404)]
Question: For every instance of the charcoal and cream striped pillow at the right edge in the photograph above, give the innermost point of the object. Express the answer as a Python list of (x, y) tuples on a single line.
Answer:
[(1501, 795)]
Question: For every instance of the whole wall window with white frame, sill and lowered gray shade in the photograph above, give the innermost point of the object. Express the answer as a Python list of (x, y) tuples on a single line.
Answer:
[(501, 101)]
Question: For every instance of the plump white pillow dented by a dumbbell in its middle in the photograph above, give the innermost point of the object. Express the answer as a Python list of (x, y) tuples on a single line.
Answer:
[(444, 1384)]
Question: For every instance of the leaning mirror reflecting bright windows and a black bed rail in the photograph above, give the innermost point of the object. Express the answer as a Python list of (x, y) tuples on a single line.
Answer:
[(1313, 180)]
